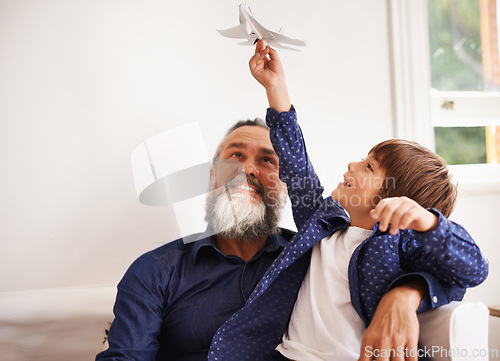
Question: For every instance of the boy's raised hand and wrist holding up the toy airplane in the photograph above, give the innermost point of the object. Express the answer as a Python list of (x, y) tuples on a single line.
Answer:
[(266, 68)]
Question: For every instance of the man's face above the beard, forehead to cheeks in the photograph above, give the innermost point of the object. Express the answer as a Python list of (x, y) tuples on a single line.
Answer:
[(248, 149)]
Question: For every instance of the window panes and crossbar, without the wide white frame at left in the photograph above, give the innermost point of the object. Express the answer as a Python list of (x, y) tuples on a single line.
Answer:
[(465, 80)]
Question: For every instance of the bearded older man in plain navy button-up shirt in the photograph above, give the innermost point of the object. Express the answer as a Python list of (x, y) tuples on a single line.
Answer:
[(172, 300)]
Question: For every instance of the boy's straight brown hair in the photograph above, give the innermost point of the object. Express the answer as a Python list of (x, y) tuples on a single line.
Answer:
[(417, 173)]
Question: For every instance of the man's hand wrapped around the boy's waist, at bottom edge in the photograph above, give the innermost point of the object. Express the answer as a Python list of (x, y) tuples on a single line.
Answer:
[(394, 329)]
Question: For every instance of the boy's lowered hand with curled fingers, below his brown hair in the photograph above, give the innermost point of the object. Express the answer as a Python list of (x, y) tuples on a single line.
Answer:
[(403, 213)]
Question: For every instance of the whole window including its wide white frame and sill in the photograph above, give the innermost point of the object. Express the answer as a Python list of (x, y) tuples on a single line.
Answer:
[(446, 90)]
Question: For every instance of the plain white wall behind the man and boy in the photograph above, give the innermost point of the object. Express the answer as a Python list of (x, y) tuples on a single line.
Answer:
[(84, 82)]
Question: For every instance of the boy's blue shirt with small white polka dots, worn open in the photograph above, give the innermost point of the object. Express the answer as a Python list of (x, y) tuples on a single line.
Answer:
[(446, 258)]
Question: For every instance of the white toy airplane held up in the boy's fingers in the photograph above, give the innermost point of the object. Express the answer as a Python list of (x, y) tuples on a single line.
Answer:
[(252, 30)]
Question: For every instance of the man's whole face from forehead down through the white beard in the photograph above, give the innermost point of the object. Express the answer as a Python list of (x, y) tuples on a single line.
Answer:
[(246, 194)]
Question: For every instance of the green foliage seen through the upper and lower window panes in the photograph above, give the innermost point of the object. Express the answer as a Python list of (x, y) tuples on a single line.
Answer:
[(456, 65)]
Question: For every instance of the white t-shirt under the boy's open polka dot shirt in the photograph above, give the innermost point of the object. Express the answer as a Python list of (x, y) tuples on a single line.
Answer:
[(324, 324)]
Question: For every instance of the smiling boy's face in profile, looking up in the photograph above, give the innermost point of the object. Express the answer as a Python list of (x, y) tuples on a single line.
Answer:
[(359, 191)]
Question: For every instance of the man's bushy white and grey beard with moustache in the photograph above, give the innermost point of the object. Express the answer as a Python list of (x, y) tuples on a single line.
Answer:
[(241, 216)]
